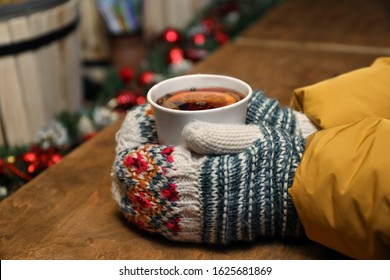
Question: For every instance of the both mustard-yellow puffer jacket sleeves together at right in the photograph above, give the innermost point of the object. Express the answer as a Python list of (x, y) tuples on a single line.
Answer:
[(342, 186)]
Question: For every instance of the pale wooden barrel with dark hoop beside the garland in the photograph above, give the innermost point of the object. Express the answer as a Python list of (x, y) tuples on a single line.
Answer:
[(39, 65)]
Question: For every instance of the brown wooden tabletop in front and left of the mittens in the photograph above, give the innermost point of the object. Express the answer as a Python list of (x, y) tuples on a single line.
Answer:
[(68, 213)]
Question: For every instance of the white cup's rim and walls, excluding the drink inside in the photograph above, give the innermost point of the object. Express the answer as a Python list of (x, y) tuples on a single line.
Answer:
[(170, 122)]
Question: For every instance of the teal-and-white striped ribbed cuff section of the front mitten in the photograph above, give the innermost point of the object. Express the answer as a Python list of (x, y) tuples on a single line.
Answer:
[(245, 195)]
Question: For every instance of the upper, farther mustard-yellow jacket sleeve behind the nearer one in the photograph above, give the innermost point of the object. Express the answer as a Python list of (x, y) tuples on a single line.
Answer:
[(347, 98)]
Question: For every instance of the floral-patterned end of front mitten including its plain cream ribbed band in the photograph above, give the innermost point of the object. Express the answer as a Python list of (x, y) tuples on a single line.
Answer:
[(156, 195)]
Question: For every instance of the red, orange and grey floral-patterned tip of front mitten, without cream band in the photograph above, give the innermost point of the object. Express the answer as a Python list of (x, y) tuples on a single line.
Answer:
[(147, 197)]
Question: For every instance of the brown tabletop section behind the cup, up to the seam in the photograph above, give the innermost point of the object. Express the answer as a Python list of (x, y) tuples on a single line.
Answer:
[(280, 70)]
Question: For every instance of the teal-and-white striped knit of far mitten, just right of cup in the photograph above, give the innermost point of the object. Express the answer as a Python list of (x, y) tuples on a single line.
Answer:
[(267, 110)]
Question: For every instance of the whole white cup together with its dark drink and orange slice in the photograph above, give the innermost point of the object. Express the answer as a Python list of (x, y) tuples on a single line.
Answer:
[(204, 97)]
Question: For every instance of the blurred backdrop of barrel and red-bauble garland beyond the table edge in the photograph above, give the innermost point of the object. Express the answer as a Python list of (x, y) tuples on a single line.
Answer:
[(68, 68)]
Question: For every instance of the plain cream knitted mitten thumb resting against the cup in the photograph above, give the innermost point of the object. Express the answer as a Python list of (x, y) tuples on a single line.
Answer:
[(209, 138)]
